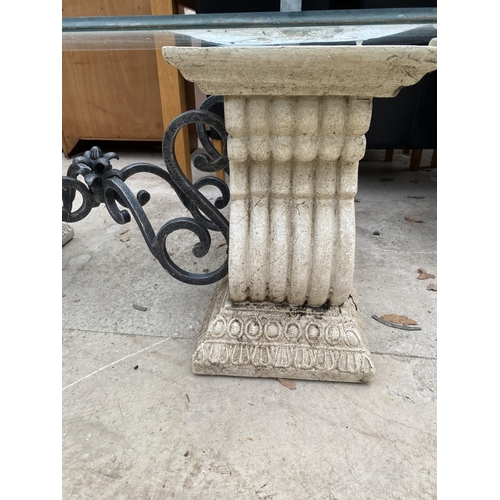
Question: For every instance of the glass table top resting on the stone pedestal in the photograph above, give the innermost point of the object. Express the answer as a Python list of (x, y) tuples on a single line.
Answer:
[(412, 26)]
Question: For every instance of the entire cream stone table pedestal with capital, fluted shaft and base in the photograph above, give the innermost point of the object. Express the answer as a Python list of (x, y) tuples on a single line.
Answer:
[(296, 119)]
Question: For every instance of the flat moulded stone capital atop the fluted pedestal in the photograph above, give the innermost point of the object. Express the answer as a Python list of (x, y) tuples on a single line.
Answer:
[(362, 71)]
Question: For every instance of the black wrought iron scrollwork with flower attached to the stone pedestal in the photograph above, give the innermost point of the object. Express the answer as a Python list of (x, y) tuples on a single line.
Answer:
[(103, 184)]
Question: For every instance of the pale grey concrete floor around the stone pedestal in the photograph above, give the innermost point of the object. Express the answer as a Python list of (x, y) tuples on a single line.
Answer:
[(137, 424)]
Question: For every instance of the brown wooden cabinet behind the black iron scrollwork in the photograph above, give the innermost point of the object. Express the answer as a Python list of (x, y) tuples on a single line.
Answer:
[(123, 94)]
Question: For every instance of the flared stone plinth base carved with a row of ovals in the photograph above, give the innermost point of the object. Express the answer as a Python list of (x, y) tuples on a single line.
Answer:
[(263, 339)]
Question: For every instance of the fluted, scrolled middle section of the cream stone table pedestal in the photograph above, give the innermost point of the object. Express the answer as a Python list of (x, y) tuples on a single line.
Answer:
[(293, 179)]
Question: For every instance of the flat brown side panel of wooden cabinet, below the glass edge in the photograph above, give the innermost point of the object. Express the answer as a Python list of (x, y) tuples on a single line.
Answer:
[(111, 95)]
